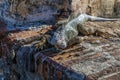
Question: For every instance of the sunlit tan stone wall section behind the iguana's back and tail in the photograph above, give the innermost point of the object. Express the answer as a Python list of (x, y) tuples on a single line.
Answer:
[(104, 8)]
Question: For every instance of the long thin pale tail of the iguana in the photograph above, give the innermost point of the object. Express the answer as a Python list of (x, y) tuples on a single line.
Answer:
[(93, 18)]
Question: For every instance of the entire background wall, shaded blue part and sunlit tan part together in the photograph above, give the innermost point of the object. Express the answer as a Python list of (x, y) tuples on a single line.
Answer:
[(46, 11)]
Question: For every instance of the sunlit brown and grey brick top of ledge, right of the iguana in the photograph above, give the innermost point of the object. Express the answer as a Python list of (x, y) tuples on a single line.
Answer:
[(97, 57)]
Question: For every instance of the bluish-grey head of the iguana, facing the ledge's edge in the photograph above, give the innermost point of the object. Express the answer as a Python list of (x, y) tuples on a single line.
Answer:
[(58, 39)]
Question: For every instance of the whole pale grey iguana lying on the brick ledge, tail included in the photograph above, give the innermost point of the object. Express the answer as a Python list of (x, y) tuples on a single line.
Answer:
[(67, 32)]
